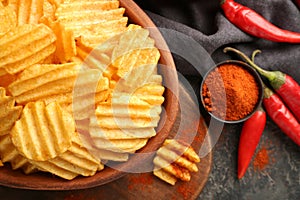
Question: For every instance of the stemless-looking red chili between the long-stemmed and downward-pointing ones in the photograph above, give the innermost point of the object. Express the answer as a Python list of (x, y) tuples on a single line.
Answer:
[(281, 115)]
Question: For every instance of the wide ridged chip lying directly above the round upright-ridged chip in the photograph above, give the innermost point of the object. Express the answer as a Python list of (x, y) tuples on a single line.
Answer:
[(40, 81)]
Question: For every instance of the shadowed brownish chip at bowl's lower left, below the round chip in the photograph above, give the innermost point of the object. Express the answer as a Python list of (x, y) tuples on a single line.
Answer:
[(9, 153)]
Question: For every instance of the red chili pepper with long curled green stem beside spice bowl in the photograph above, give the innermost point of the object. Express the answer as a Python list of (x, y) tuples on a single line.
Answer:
[(284, 85)]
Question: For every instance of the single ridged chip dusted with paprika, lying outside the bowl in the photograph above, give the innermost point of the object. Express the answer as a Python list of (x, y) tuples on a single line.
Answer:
[(175, 160)]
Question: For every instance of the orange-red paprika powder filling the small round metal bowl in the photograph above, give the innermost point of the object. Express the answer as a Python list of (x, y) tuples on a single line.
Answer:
[(230, 92)]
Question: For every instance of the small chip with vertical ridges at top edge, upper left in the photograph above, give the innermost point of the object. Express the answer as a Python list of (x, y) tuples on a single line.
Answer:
[(29, 11)]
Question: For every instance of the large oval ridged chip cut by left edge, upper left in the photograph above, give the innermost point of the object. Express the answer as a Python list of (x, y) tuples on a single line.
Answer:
[(24, 46)]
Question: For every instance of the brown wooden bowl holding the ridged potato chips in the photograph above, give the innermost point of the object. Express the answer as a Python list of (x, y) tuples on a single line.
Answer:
[(46, 181)]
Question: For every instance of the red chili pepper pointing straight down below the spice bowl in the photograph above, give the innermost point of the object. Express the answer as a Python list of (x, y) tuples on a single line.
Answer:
[(249, 139)]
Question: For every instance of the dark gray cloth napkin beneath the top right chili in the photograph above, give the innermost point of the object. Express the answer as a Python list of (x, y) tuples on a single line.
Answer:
[(204, 22)]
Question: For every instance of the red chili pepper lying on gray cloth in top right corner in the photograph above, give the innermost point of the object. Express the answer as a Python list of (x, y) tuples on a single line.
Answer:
[(254, 24)]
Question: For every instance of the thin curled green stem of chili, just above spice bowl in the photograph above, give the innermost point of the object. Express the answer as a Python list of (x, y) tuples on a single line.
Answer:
[(269, 75)]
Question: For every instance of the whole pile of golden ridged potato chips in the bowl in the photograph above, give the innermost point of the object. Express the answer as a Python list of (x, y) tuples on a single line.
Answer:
[(78, 86)]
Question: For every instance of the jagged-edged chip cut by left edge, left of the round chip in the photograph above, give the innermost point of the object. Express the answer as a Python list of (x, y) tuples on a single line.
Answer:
[(9, 113)]
